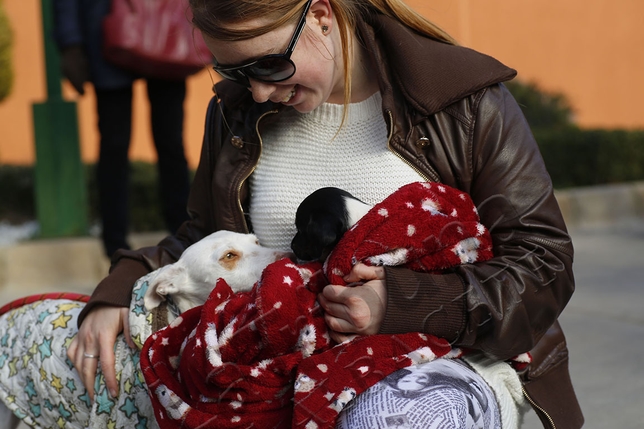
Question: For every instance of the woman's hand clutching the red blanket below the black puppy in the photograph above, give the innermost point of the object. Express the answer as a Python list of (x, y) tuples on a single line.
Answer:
[(358, 310)]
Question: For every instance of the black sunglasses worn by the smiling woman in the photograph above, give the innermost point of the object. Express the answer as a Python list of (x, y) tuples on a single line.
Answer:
[(269, 68)]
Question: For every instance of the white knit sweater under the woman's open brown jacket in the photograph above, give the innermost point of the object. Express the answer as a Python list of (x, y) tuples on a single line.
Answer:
[(302, 153)]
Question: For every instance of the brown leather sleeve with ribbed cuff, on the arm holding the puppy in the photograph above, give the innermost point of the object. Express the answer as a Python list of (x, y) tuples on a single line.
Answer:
[(505, 305)]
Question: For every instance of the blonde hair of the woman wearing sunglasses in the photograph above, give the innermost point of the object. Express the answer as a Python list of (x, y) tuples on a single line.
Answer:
[(218, 19)]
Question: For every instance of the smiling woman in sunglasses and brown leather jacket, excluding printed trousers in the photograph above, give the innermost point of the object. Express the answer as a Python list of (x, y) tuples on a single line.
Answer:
[(367, 95)]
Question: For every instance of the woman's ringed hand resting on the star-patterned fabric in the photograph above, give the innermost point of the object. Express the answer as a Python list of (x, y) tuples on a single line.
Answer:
[(96, 337)]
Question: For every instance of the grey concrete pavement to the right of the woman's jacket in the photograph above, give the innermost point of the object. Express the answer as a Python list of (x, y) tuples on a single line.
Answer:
[(604, 326)]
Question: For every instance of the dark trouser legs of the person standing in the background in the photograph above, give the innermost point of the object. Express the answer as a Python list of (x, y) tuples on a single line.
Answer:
[(115, 123)]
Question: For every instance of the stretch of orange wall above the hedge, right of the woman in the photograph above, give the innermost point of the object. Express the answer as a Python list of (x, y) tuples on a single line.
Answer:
[(592, 51)]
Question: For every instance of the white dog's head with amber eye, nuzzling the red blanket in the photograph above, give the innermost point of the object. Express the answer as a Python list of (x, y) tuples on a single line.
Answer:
[(236, 258)]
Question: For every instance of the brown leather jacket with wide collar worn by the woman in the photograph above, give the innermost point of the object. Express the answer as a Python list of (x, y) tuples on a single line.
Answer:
[(450, 118)]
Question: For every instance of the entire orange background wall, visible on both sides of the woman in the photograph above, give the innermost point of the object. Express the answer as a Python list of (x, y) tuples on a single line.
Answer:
[(589, 50)]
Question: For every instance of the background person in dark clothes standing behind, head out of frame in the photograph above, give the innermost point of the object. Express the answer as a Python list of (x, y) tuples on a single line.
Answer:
[(78, 33)]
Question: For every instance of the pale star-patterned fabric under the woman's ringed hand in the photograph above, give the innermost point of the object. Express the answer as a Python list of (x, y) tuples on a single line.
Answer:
[(40, 385)]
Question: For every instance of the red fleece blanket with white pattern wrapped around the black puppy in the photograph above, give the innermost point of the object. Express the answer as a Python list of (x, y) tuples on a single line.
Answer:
[(264, 358)]
